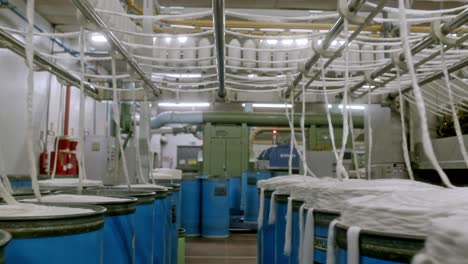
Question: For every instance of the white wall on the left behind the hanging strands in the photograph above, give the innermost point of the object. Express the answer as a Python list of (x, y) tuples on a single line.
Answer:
[(13, 114)]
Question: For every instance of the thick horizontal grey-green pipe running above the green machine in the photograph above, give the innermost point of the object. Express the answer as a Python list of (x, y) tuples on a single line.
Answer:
[(251, 119)]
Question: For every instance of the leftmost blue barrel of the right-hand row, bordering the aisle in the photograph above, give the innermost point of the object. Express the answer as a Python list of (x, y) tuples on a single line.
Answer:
[(266, 235)]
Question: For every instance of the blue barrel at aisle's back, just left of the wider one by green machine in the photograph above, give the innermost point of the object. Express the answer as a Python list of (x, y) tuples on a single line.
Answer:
[(190, 190)]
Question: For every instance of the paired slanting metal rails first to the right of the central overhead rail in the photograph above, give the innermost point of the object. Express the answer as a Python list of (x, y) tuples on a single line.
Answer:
[(334, 32)]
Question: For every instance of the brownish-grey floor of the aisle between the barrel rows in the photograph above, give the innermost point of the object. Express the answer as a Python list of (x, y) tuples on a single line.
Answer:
[(238, 248)]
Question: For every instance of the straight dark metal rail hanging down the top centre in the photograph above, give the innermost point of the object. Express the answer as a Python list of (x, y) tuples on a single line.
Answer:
[(219, 22)]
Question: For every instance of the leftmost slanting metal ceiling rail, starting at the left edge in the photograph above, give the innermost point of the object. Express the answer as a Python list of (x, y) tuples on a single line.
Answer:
[(18, 47)]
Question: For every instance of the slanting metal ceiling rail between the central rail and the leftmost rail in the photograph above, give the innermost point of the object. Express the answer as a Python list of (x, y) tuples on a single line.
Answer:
[(88, 11)]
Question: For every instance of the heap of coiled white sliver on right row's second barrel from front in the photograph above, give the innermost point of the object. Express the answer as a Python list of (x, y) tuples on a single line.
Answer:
[(403, 212)]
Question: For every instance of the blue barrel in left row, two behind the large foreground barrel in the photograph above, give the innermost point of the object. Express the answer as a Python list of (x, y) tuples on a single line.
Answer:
[(144, 220)]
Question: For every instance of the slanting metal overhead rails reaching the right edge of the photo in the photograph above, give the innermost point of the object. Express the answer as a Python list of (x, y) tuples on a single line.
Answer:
[(429, 40)]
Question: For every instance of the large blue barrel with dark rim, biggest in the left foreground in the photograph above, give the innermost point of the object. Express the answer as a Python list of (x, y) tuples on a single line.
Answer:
[(73, 239)]
